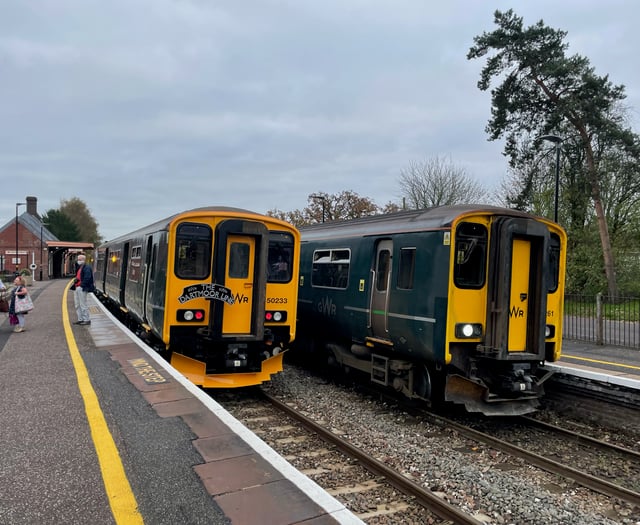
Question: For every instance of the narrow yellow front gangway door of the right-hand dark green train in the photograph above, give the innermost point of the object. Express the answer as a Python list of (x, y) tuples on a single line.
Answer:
[(519, 300)]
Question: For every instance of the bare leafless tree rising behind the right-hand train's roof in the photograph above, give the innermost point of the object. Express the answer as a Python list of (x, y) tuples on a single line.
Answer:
[(438, 182)]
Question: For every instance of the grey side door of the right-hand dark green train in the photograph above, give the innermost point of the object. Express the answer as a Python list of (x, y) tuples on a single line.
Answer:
[(380, 289)]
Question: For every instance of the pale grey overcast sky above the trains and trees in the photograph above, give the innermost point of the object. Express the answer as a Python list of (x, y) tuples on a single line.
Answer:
[(144, 108)]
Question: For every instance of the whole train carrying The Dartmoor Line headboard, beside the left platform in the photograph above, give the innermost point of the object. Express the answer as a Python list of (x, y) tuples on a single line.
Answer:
[(214, 289)]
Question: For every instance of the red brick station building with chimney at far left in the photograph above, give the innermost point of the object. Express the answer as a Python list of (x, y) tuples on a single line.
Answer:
[(35, 247)]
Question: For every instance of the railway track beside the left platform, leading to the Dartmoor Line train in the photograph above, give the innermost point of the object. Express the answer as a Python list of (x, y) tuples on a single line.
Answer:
[(370, 489)]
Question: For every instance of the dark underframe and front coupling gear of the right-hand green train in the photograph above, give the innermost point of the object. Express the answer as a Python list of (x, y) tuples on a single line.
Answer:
[(482, 384)]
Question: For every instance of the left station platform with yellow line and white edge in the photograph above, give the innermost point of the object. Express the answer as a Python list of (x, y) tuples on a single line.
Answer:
[(96, 428)]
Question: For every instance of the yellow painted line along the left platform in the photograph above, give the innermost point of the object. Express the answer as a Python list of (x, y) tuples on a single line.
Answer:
[(121, 498)]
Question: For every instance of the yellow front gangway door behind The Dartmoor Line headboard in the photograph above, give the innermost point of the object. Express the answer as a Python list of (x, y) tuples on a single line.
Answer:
[(239, 279)]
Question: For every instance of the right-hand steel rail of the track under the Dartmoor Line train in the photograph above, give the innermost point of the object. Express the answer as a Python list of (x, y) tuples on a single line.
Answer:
[(424, 497)]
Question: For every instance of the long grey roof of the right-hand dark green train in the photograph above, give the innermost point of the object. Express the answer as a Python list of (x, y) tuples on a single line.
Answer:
[(440, 217)]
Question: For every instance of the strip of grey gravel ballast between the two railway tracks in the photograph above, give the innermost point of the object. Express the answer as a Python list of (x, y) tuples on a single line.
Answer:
[(490, 485)]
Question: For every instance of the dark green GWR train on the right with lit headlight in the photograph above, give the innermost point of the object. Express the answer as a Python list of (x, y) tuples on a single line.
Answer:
[(461, 303)]
